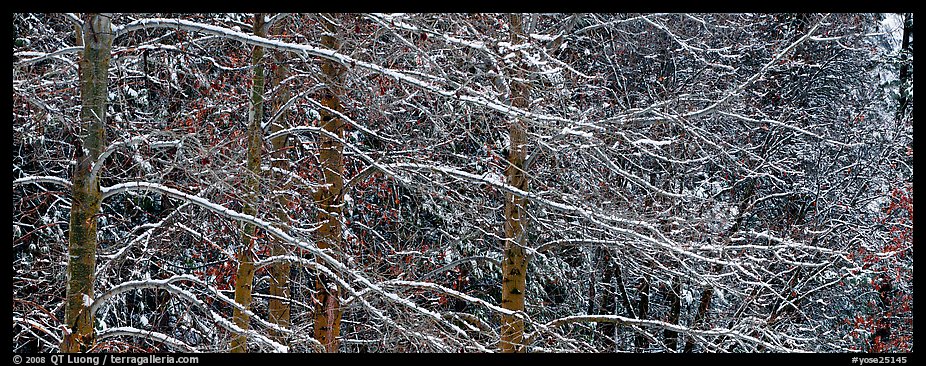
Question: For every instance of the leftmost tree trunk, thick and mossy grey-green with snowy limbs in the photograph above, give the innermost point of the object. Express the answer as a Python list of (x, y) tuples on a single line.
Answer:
[(85, 192)]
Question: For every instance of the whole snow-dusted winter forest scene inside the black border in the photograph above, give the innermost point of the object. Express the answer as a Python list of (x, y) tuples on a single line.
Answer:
[(287, 182)]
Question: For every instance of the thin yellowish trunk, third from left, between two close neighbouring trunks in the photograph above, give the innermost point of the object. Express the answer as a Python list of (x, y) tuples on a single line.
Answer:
[(279, 272)]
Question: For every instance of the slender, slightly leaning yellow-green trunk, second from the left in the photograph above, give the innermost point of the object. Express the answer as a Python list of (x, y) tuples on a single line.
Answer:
[(245, 254)]
